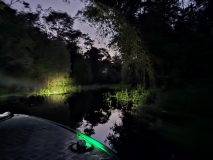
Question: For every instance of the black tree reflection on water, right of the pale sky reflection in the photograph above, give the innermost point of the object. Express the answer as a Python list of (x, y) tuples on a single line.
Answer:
[(133, 139)]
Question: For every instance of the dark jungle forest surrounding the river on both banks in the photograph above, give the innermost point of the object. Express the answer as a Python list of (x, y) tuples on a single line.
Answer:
[(159, 75)]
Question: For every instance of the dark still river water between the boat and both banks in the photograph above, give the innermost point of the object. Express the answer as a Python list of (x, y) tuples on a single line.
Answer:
[(87, 112)]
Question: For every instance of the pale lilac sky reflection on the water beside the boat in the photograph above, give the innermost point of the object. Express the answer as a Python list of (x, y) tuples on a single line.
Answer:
[(103, 130)]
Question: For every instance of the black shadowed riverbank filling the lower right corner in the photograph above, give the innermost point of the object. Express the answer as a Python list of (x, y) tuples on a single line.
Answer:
[(183, 117)]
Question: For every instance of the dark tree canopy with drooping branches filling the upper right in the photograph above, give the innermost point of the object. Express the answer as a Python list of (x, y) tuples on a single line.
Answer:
[(163, 43)]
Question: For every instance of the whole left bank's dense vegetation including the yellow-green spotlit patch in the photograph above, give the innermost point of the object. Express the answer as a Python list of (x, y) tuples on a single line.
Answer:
[(40, 51)]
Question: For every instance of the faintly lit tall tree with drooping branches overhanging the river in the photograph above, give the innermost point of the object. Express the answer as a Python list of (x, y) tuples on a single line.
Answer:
[(108, 18)]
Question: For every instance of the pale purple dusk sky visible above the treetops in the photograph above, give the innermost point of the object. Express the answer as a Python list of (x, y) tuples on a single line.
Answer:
[(71, 9)]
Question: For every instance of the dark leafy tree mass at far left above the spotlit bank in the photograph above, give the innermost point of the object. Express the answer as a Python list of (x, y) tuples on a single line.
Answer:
[(27, 52)]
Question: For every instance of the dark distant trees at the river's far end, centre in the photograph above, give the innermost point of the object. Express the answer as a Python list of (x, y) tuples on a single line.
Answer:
[(94, 66)]
